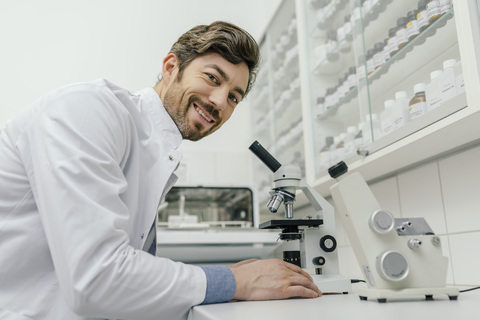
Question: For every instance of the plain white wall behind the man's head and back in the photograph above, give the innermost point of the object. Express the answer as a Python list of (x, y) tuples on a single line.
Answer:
[(50, 43)]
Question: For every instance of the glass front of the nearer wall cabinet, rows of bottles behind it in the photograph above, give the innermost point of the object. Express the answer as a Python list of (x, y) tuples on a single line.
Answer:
[(380, 71)]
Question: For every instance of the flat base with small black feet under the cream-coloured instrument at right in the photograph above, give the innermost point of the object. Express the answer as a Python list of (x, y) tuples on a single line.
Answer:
[(381, 295)]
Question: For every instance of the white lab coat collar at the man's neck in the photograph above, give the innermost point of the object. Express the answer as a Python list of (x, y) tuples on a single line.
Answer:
[(164, 123)]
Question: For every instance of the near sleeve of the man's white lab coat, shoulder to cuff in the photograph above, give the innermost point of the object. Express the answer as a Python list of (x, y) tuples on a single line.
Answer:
[(71, 150)]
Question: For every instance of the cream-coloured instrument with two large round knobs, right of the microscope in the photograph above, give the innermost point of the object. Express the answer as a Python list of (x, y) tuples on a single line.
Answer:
[(398, 257)]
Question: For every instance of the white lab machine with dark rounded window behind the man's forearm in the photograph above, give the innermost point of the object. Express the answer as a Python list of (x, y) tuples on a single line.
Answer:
[(212, 224)]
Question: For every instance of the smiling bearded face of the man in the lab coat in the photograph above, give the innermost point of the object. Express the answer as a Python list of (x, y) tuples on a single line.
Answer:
[(202, 98)]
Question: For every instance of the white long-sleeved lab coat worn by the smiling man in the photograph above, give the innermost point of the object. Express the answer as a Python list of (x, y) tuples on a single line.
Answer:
[(82, 172)]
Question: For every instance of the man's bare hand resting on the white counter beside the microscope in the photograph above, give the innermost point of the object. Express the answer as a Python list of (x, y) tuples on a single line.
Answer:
[(272, 279)]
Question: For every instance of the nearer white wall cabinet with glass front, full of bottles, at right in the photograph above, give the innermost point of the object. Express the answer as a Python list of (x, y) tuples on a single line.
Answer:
[(359, 62)]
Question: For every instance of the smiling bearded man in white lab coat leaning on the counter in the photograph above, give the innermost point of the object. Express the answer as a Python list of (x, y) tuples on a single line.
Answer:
[(82, 172)]
